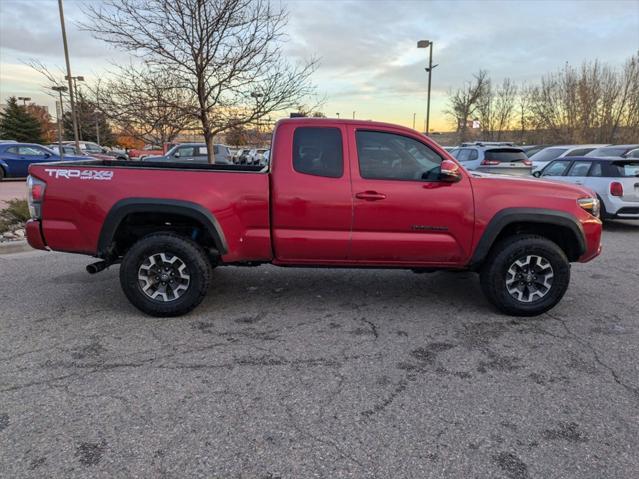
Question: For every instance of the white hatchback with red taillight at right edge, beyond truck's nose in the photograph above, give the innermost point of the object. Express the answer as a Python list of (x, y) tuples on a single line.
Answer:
[(615, 181)]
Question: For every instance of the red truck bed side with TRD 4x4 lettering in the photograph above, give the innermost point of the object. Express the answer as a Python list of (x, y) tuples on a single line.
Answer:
[(80, 195)]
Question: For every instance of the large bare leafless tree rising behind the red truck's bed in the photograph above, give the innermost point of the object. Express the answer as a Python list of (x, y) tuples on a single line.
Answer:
[(226, 53)]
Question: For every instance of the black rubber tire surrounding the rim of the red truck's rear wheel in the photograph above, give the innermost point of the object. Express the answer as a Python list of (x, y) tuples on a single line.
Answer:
[(189, 253)]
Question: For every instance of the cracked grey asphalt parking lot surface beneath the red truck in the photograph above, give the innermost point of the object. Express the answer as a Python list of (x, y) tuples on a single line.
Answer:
[(298, 373)]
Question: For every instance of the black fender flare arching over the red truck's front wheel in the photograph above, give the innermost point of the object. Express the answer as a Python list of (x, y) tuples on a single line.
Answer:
[(508, 216)]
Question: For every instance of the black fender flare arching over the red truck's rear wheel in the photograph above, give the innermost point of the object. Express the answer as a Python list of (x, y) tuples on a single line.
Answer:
[(123, 208)]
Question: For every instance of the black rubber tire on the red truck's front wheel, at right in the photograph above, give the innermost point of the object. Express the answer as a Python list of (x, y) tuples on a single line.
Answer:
[(504, 255)]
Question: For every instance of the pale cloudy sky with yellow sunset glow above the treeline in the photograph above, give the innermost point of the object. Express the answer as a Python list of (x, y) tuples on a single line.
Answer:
[(367, 49)]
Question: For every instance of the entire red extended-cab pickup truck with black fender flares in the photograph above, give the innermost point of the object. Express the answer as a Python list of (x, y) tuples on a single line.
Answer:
[(337, 193)]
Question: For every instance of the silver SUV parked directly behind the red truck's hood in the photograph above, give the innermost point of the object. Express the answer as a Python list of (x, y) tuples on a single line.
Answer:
[(507, 160)]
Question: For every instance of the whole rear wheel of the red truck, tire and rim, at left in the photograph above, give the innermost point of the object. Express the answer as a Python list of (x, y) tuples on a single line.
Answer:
[(165, 274)]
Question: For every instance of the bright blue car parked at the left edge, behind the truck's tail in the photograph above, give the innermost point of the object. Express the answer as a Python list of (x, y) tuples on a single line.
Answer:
[(15, 158)]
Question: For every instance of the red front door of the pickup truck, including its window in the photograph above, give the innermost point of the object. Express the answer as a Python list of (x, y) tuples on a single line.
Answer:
[(402, 213)]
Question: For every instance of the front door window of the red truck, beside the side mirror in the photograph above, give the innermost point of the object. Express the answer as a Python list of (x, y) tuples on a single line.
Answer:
[(387, 156)]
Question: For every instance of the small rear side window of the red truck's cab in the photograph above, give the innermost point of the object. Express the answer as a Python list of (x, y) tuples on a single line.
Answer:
[(318, 151)]
